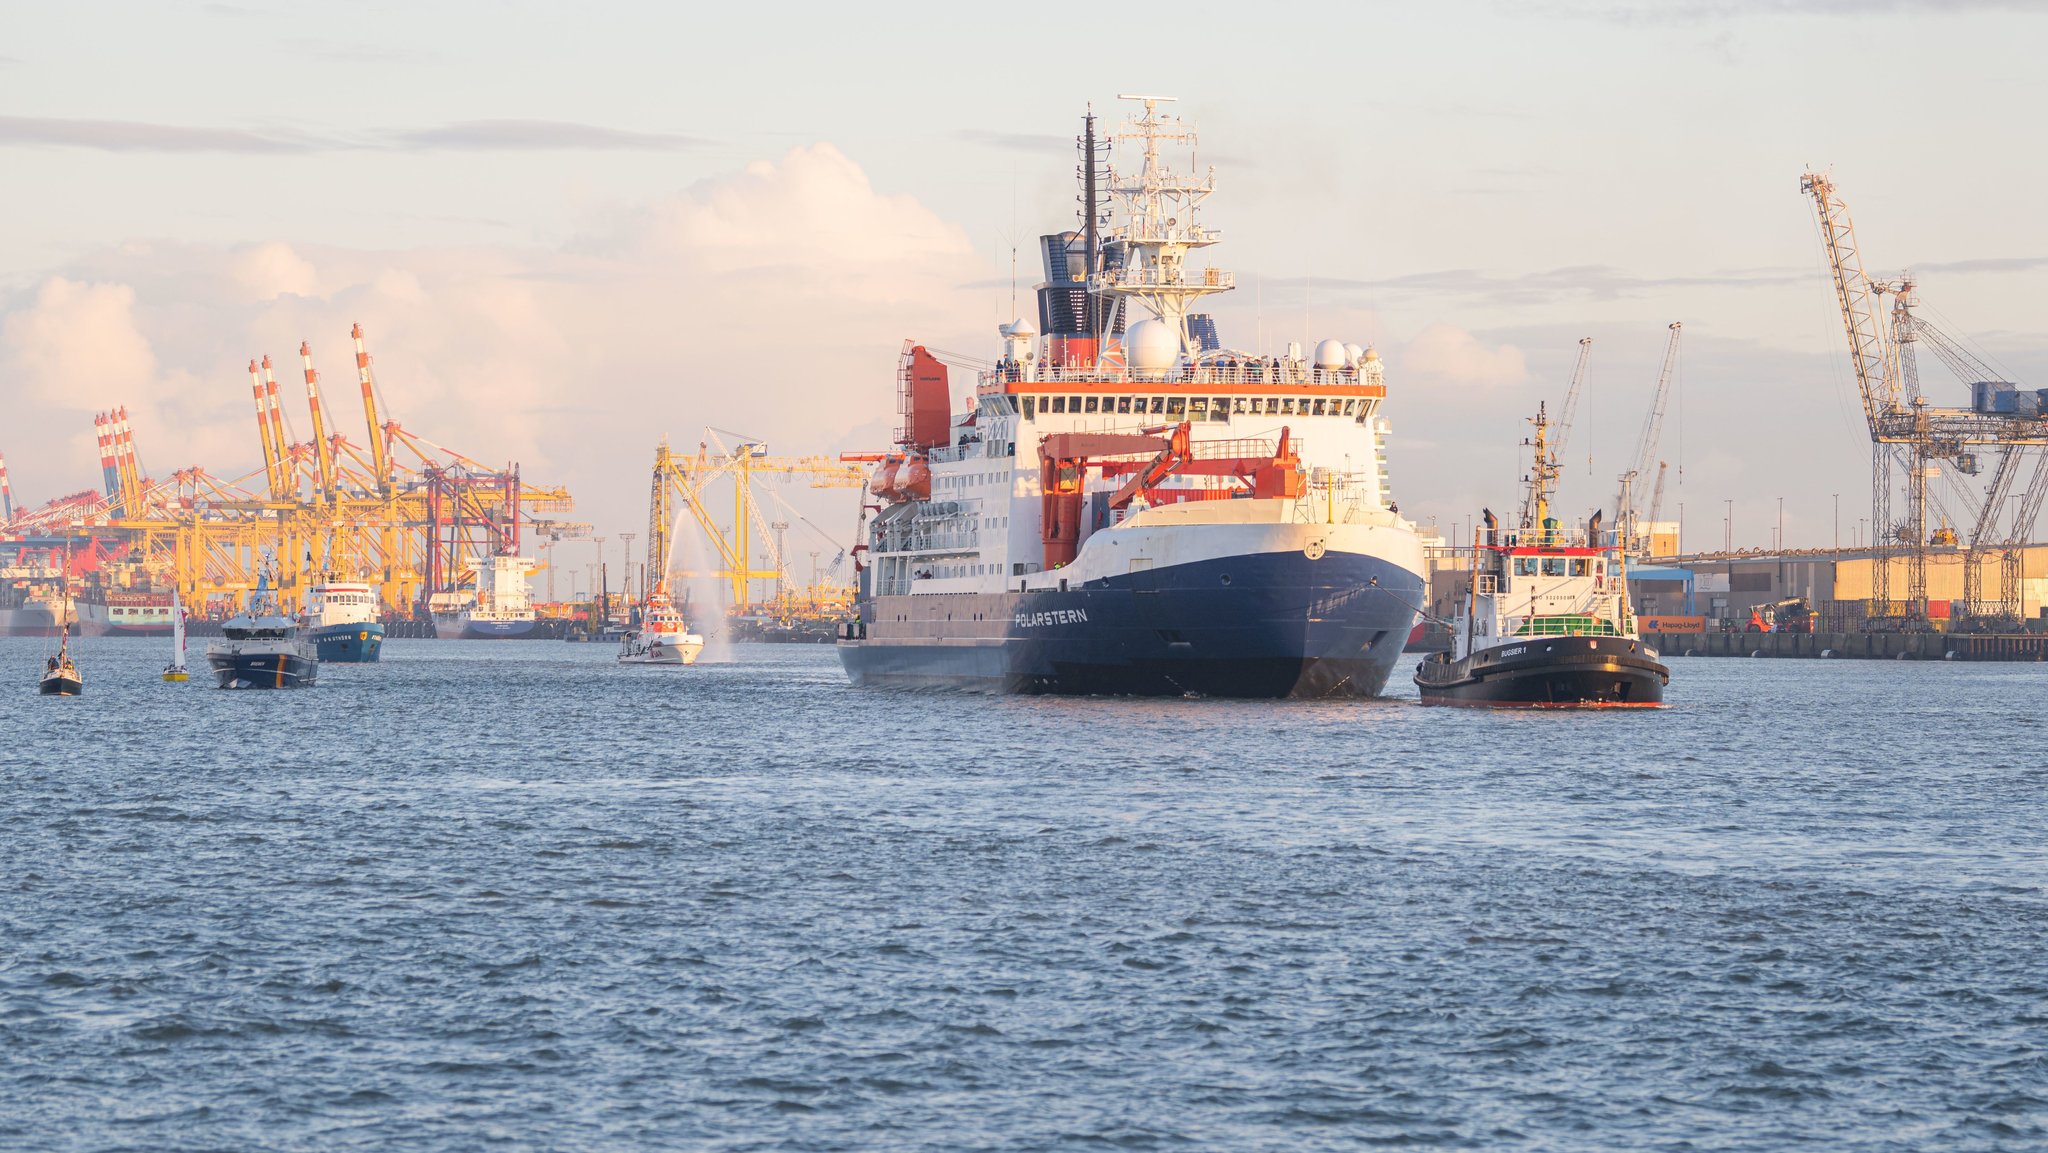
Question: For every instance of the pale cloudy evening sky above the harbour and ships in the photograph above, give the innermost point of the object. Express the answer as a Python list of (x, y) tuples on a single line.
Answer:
[(572, 230)]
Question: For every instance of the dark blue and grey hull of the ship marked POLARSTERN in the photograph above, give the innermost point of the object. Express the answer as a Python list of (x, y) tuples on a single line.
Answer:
[(1263, 626)]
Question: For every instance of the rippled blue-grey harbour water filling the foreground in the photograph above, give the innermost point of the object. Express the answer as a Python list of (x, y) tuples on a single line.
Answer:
[(517, 896)]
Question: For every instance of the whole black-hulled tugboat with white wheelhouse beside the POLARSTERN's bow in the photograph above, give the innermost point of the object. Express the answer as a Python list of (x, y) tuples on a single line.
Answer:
[(1547, 622)]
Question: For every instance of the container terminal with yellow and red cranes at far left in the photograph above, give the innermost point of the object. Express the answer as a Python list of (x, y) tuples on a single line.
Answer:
[(398, 511)]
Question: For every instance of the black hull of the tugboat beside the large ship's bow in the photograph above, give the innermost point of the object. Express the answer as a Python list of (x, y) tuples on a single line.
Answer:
[(1547, 673)]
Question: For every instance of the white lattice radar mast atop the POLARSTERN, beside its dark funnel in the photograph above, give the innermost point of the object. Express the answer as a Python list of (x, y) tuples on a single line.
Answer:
[(1160, 224)]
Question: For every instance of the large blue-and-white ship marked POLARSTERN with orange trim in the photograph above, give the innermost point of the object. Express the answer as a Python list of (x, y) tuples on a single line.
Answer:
[(1138, 511)]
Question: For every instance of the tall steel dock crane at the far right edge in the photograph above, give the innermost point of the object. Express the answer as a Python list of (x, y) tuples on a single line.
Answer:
[(1912, 435)]
